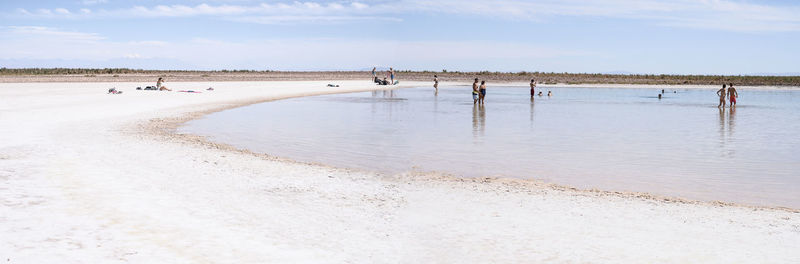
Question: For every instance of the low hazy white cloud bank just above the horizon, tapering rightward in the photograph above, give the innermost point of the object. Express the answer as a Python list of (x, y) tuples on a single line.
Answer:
[(37, 43)]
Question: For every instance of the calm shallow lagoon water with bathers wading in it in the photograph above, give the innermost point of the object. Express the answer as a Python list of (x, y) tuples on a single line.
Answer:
[(615, 139)]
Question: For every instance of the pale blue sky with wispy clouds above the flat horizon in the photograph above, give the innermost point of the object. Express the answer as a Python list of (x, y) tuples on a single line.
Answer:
[(731, 37)]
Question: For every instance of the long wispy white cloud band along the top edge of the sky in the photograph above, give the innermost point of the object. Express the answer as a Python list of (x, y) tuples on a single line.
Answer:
[(728, 15)]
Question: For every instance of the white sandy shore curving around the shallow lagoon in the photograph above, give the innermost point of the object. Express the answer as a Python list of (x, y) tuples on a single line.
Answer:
[(87, 177)]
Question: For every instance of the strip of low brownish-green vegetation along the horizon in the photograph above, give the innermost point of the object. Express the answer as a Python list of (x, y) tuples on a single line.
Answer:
[(85, 74)]
